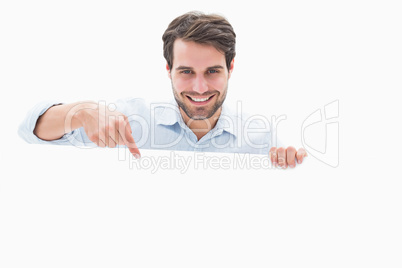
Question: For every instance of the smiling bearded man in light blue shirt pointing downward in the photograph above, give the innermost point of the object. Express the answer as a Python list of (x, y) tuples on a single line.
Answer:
[(199, 50)]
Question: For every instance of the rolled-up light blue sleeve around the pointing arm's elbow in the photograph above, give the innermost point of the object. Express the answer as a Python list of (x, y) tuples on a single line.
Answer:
[(77, 137)]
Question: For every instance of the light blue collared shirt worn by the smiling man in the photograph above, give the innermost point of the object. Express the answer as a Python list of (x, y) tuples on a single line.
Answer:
[(160, 126)]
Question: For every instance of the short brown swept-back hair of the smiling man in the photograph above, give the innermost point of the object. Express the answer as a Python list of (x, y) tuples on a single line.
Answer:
[(198, 27)]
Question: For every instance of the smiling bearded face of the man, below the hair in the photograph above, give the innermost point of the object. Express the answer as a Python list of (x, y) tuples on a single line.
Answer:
[(199, 79)]
